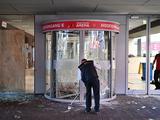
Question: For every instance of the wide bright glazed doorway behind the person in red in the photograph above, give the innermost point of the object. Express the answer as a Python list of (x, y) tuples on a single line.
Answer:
[(143, 45)]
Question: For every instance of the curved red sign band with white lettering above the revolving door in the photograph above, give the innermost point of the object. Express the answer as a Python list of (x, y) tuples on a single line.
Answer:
[(81, 25)]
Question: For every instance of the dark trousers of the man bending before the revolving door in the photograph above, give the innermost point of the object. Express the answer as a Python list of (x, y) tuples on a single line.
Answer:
[(94, 83)]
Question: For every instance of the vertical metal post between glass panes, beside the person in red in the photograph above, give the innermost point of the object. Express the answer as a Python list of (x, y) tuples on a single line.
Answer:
[(148, 55)]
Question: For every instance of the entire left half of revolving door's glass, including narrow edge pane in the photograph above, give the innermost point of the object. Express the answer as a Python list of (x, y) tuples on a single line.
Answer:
[(62, 63)]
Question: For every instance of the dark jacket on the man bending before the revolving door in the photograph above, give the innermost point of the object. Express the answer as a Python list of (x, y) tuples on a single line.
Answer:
[(88, 71)]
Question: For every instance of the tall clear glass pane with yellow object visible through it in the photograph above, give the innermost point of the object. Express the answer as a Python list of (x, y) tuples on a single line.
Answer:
[(137, 54)]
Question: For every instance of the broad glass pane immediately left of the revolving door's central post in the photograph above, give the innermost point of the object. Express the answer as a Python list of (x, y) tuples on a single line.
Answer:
[(67, 62)]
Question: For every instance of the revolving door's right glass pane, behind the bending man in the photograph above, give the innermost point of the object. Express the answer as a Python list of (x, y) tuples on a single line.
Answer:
[(96, 47)]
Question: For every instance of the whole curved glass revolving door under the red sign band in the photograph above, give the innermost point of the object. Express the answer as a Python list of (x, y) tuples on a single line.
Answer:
[(64, 51)]
